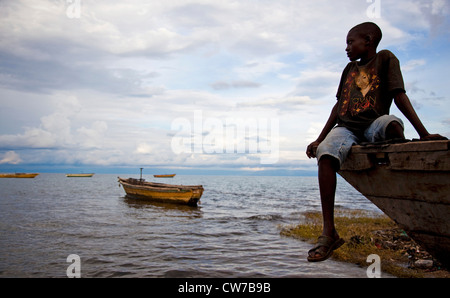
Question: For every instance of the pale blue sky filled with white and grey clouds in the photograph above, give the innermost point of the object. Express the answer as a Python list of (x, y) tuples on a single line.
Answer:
[(191, 84)]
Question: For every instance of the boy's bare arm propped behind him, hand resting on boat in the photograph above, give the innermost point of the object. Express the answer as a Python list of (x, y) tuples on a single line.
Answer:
[(404, 105)]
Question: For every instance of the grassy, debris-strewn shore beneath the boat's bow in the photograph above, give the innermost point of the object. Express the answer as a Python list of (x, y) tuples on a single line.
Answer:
[(368, 233)]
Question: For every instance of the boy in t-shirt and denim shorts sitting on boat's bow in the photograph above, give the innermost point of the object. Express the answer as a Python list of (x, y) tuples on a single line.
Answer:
[(365, 94)]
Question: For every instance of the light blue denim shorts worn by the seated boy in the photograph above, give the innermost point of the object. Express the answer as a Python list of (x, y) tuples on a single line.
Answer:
[(340, 140)]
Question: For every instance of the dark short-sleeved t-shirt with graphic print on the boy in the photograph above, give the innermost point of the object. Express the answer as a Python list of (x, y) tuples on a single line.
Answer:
[(366, 91)]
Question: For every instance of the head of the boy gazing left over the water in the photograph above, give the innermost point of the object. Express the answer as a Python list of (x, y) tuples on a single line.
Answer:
[(361, 39)]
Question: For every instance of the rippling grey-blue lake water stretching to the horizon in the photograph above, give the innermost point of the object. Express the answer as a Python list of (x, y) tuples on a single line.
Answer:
[(235, 231)]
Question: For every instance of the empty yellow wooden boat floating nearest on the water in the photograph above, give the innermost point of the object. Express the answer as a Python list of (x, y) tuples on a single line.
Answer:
[(178, 194)]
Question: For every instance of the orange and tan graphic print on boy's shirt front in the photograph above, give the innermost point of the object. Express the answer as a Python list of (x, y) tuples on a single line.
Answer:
[(358, 93)]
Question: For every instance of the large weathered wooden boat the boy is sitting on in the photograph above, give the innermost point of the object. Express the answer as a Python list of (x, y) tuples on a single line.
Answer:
[(410, 183)]
